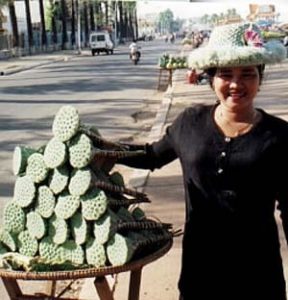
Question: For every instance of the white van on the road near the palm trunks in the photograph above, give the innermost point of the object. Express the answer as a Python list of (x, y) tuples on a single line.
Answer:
[(101, 42)]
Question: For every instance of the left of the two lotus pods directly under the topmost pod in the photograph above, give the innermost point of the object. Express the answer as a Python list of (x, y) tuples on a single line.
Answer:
[(55, 153)]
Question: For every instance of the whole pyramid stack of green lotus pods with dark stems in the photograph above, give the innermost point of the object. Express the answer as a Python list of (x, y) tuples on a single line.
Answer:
[(70, 209)]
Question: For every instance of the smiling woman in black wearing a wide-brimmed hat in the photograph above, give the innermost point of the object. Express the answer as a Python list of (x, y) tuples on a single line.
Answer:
[(234, 158)]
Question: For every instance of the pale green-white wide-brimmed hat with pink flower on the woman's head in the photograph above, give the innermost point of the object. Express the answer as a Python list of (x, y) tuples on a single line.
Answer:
[(236, 45)]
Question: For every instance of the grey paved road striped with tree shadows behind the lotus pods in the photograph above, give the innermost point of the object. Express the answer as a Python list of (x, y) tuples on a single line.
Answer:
[(108, 90)]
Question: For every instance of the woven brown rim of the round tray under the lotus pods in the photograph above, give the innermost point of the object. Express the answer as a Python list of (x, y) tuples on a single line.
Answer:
[(89, 272)]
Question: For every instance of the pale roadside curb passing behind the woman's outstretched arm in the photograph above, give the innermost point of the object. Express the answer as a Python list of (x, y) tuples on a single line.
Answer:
[(139, 177)]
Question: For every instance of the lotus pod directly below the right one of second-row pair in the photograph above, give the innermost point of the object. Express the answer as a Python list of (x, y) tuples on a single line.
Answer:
[(80, 181)]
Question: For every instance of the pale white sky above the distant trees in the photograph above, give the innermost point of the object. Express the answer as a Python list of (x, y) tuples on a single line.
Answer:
[(185, 9)]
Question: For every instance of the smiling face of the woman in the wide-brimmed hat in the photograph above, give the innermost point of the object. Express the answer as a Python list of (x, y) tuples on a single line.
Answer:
[(236, 87)]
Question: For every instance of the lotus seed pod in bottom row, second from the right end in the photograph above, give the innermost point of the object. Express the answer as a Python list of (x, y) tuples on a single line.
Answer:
[(95, 254)]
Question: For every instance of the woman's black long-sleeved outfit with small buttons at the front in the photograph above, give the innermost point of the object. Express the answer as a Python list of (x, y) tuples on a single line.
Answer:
[(231, 187)]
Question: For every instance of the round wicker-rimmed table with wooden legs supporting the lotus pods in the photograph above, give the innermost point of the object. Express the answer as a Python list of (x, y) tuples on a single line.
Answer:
[(10, 278)]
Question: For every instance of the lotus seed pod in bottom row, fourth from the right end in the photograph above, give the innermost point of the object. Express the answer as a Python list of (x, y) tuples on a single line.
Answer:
[(49, 250)]
